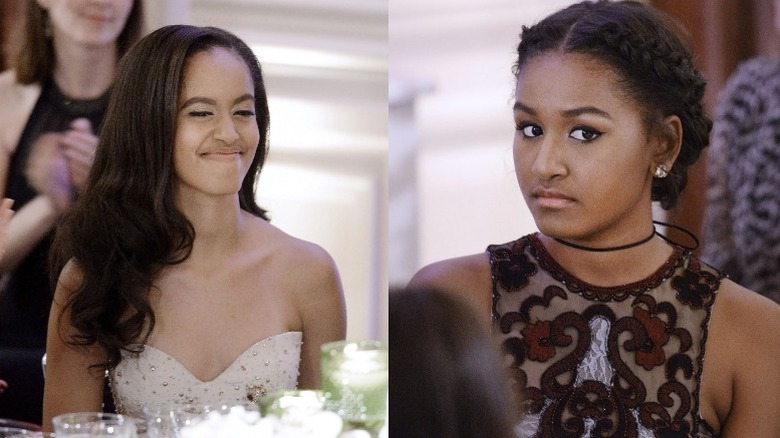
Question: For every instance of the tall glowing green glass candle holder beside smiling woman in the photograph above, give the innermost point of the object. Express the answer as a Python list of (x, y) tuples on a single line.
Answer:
[(354, 382)]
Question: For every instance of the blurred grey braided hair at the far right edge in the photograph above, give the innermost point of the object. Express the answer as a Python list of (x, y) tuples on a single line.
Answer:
[(742, 219)]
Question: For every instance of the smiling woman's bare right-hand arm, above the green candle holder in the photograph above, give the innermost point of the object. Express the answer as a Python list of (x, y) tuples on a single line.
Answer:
[(323, 314)]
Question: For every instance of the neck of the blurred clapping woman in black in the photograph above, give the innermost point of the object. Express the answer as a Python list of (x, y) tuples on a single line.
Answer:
[(84, 73)]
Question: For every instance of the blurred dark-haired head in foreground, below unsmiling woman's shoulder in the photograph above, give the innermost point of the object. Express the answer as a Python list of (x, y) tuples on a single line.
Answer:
[(445, 372)]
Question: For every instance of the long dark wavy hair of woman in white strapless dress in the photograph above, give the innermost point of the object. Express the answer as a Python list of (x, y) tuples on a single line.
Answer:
[(125, 227)]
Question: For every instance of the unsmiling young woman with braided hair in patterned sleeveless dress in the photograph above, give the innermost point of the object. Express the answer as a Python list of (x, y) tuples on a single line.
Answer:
[(609, 329)]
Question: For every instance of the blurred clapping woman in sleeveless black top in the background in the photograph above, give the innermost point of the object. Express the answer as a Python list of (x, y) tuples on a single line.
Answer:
[(53, 105)]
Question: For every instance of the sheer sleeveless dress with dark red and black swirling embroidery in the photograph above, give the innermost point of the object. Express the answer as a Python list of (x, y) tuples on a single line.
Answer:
[(603, 361)]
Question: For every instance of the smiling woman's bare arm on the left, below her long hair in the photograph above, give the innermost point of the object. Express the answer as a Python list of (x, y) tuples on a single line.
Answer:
[(72, 385)]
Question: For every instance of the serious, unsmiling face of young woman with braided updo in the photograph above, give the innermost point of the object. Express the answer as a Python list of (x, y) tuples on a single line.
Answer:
[(582, 153)]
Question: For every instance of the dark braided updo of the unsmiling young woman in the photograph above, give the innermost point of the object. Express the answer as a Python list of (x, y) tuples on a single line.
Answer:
[(654, 64)]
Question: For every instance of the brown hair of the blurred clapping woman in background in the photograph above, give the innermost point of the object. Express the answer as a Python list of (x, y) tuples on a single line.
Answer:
[(34, 61)]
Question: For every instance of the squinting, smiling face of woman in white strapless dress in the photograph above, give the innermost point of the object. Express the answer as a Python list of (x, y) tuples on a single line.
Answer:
[(216, 129)]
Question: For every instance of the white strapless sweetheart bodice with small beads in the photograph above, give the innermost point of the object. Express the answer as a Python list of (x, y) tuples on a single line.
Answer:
[(155, 379)]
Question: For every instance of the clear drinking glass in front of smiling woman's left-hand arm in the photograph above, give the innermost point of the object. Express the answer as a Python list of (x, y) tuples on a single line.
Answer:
[(96, 424)]
